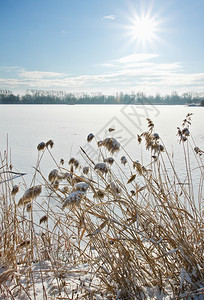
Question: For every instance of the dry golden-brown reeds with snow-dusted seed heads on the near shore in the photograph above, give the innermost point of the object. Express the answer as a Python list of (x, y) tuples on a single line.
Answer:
[(134, 229)]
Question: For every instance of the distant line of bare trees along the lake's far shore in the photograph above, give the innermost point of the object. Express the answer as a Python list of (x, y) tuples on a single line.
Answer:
[(60, 97)]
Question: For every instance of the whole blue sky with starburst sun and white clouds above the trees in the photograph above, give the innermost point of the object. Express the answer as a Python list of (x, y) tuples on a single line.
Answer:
[(103, 46)]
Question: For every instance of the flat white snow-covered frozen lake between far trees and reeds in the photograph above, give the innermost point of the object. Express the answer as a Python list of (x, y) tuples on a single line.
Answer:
[(69, 125)]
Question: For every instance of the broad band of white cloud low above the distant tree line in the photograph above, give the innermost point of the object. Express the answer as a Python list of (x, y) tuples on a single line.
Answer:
[(136, 72)]
